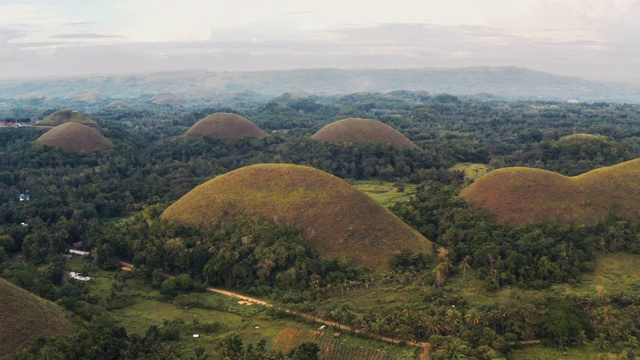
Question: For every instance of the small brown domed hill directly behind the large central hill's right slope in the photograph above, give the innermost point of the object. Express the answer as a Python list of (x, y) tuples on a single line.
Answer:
[(357, 130)]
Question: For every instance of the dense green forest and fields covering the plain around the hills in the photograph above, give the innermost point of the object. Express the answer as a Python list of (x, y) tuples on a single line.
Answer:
[(488, 290)]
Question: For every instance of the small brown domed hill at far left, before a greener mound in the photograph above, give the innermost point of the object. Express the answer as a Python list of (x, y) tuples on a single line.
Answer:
[(76, 137)]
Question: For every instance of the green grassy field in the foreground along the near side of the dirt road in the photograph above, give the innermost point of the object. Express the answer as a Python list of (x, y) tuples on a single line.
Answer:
[(193, 313)]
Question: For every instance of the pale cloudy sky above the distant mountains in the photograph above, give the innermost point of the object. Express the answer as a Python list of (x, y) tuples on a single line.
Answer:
[(592, 39)]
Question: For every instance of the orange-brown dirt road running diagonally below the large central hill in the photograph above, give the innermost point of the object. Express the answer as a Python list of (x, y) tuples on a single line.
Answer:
[(424, 345)]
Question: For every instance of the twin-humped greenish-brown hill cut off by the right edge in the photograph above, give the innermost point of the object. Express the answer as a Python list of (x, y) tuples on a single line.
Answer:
[(523, 195)]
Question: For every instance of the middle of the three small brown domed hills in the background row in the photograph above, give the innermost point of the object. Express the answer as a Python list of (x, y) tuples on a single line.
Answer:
[(224, 126)]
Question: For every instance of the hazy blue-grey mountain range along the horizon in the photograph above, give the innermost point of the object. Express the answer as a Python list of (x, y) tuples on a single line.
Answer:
[(510, 83)]
